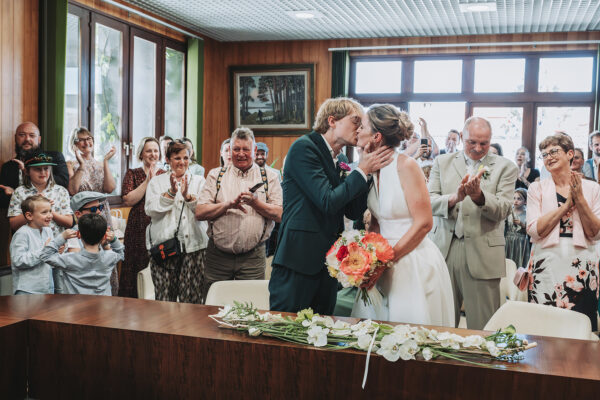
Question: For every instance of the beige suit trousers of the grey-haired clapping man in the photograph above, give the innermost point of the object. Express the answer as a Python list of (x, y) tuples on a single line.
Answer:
[(483, 294)]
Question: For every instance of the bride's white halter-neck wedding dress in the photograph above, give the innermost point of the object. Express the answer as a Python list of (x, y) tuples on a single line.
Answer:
[(417, 288)]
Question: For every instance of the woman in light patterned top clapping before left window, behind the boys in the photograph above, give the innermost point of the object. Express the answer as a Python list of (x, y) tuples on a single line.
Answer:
[(88, 174)]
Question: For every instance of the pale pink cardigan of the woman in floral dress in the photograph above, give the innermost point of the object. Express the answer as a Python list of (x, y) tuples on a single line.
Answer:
[(541, 199)]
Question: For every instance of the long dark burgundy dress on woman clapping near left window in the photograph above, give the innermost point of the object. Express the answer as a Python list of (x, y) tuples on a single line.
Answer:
[(136, 255)]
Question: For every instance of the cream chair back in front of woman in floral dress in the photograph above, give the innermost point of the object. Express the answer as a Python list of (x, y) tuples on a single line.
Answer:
[(538, 319)]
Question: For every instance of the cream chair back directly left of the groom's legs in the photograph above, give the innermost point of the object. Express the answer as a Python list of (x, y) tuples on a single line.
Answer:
[(225, 292)]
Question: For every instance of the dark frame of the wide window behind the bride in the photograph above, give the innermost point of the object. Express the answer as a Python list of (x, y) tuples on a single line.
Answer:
[(529, 99)]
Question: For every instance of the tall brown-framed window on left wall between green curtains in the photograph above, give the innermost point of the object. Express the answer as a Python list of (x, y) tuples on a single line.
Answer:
[(124, 83)]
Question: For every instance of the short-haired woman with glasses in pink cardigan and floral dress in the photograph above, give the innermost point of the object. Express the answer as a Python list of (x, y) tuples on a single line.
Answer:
[(563, 220)]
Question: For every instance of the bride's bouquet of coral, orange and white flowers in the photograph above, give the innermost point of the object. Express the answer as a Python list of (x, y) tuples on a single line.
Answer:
[(358, 259)]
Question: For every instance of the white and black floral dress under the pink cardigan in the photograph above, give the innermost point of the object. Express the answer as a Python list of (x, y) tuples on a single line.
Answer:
[(565, 276)]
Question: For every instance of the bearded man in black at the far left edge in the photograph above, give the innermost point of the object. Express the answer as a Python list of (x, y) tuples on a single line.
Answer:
[(27, 139)]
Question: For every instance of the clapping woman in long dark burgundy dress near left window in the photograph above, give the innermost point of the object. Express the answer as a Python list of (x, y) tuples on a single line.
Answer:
[(133, 192)]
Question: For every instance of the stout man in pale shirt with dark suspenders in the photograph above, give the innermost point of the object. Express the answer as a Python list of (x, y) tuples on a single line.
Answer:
[(241, 202)]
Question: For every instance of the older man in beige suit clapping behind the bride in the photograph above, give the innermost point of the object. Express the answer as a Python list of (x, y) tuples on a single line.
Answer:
[(471, 195)]
